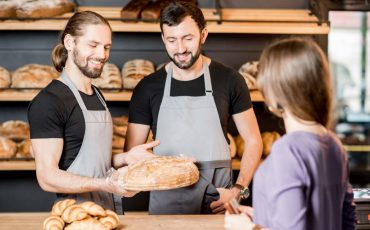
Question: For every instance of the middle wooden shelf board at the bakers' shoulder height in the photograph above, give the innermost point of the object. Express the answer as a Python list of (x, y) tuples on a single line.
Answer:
[(12, 95)]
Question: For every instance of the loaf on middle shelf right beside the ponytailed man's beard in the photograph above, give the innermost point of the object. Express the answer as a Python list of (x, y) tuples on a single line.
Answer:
[(110, 78)]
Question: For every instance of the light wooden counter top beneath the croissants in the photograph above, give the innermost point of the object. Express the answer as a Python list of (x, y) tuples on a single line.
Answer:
[(31, 221)]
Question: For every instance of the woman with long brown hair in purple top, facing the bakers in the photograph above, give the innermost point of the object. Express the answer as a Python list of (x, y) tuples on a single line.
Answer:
[(303, 184)]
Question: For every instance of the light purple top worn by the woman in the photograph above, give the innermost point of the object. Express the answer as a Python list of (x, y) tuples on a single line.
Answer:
[(303, 184)]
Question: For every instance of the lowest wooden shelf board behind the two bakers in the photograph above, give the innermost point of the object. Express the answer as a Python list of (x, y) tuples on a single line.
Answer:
[(29, 165)]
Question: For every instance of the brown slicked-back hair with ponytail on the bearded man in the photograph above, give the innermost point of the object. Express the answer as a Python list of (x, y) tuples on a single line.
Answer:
[(75, 27)]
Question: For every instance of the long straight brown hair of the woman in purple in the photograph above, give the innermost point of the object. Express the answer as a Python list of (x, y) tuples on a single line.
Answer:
[(294, 73)]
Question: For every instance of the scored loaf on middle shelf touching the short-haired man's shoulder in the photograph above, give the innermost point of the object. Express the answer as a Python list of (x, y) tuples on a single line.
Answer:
[(135, 70)]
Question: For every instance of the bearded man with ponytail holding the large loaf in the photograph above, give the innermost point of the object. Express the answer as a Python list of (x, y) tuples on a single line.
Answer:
[(71, 127)]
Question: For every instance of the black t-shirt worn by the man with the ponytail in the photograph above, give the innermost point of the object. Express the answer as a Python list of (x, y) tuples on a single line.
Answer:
[(55, 113)]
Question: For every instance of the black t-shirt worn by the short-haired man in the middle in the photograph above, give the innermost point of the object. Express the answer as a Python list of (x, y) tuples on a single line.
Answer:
[(230, 93)]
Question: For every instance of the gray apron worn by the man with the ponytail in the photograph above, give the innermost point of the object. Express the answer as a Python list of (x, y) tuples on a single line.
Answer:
[(94, 157)]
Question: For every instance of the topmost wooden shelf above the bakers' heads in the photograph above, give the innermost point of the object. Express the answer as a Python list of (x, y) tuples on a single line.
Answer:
[(257, 21)]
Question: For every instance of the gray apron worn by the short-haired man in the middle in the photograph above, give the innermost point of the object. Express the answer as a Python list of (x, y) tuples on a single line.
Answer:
[(191, 126)]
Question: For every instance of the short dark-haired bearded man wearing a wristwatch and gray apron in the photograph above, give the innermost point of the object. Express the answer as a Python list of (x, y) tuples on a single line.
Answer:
[(187, 105)]
